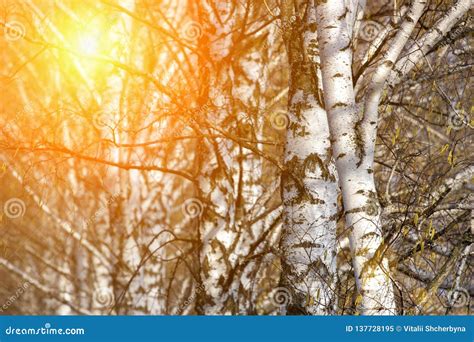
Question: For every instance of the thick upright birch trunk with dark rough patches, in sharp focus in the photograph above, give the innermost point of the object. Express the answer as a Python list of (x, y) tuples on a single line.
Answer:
[(309, 186)]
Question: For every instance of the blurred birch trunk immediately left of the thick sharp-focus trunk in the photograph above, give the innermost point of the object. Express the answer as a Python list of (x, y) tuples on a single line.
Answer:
[(256, 218)]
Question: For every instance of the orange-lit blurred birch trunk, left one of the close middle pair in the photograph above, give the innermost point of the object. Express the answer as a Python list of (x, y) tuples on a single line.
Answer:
[(218, 229)]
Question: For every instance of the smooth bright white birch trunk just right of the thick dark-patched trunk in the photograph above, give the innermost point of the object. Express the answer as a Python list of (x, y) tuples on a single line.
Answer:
[(362, 210)]
